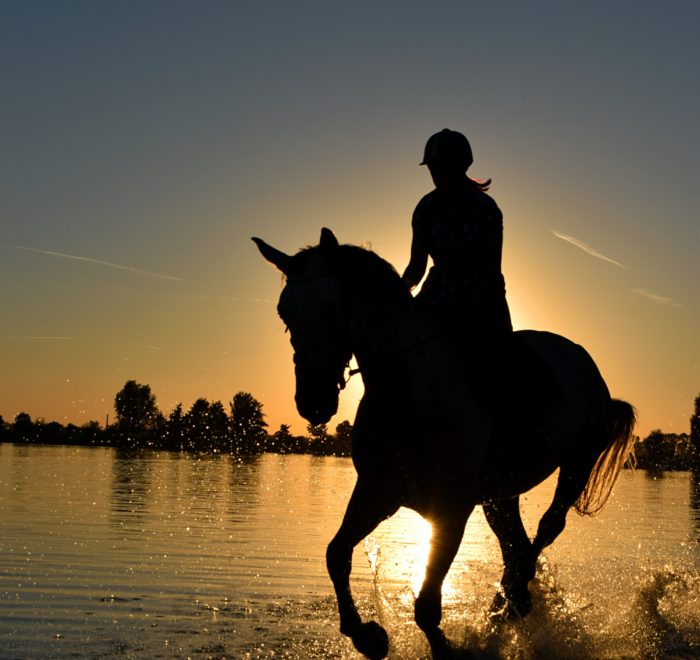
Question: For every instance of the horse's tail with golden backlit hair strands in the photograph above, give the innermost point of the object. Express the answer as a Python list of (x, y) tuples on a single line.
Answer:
[(618, 451)]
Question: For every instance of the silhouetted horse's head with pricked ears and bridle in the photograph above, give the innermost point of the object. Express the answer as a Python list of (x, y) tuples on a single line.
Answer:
[(311, 306)]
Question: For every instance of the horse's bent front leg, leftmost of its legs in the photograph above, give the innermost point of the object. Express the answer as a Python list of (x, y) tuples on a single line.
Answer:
[(366, 509)]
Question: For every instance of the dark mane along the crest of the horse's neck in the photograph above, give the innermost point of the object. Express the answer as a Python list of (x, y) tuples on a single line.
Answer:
[(372, 276)]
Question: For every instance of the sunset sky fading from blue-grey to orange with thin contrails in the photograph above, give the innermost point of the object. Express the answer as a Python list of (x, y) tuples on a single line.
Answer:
[(144, 143)]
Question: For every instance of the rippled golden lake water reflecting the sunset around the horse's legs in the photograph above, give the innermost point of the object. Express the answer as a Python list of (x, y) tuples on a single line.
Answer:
[(168, 555)]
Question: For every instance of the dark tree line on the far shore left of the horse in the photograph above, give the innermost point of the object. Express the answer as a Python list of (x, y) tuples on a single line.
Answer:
[(207, 427)]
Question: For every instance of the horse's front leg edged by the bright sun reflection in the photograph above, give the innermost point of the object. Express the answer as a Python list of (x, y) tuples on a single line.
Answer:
[(448, 529)]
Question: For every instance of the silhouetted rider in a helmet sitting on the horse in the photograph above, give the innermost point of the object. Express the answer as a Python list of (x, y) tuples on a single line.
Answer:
[(461, 228)]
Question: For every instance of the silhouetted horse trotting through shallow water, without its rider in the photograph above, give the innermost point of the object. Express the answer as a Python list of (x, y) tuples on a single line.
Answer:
[(423, 437)]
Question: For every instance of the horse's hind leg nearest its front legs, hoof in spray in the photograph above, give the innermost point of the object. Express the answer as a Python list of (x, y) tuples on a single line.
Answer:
[(519, 559)]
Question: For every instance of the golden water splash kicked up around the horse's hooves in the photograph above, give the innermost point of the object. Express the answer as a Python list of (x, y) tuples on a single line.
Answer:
[(654, 615)]
